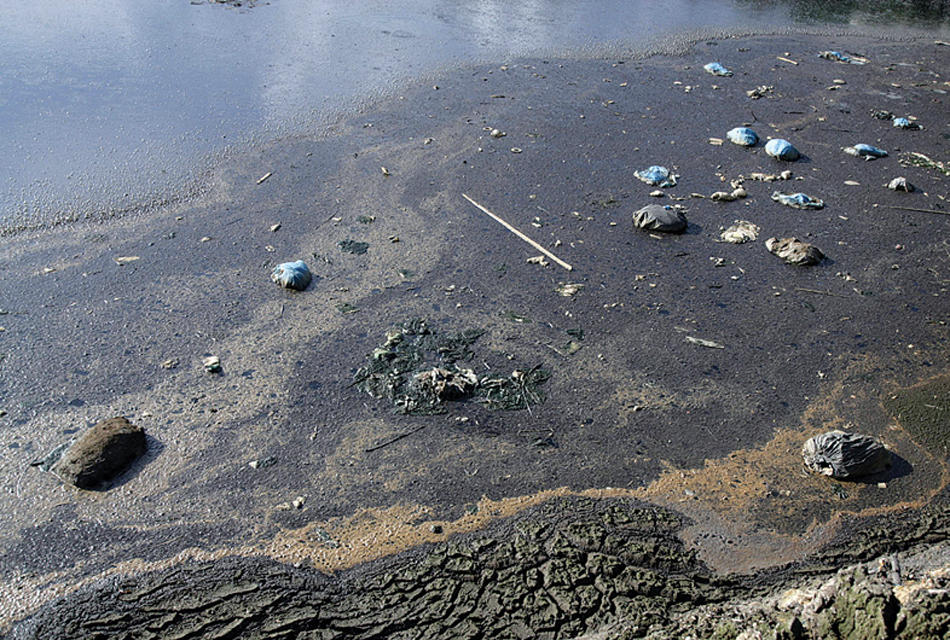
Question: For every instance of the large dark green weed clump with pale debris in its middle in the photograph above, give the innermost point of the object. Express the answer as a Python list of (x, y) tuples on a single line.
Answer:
[(419, 369)]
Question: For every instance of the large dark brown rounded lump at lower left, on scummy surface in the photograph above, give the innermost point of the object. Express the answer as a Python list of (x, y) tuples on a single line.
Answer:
[(101, 454)]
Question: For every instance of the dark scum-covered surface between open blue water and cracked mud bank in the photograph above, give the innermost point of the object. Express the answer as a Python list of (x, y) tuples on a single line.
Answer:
[(183, 298)]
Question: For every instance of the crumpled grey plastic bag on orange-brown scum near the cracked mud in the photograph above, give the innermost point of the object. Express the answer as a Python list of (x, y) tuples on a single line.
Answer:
[(840, 454)]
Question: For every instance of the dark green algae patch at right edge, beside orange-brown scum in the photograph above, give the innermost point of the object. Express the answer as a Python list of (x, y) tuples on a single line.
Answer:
[(924, 412)]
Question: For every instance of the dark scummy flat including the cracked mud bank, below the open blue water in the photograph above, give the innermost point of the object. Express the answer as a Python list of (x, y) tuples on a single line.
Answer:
[(512, 516)]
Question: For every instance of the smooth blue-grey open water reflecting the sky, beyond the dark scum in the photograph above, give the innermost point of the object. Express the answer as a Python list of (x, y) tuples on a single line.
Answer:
[(111, 105)]
